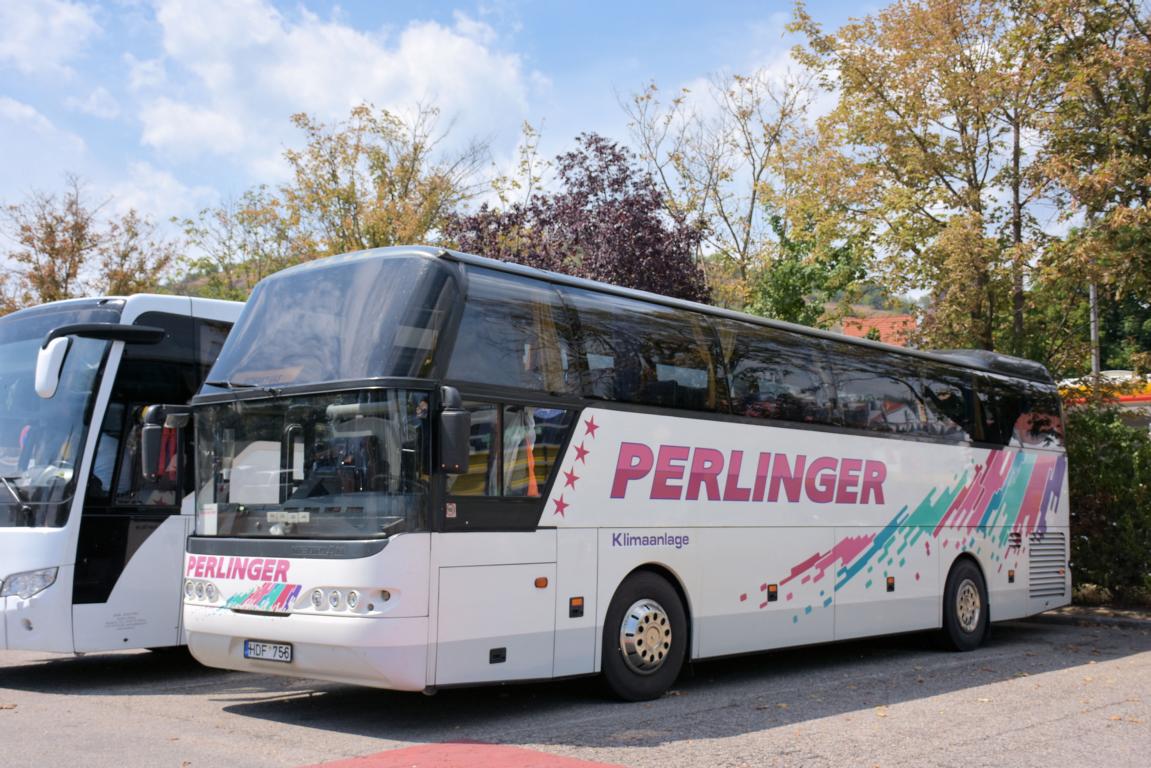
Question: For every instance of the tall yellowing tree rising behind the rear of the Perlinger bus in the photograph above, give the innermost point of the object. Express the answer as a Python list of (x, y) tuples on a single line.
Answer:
[(936, 100)]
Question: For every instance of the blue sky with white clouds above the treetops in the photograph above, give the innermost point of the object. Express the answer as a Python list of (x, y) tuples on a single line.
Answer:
[(172, 107)]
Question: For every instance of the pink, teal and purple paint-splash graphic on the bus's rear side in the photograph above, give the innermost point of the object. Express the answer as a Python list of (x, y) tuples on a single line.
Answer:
[(1011, 493)]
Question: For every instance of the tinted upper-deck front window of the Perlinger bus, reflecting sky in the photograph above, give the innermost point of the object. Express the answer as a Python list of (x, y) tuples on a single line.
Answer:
[(346, 318)]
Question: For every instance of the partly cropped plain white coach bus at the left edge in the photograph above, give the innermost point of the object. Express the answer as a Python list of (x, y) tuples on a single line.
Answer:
[(90, 544)]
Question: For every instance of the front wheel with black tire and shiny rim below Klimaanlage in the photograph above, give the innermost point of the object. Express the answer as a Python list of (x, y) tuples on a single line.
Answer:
[(637, 673)]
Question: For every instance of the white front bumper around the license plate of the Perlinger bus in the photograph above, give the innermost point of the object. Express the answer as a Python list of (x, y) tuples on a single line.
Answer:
[(388, 653)]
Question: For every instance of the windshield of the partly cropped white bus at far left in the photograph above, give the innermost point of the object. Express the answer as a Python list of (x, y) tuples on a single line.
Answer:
[(42, 440)]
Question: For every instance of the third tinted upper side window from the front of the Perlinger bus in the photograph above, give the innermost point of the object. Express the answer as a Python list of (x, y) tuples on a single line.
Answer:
[(778, 375)]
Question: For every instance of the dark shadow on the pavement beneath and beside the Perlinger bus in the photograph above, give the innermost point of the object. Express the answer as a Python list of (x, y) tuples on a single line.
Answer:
[(758, 693)]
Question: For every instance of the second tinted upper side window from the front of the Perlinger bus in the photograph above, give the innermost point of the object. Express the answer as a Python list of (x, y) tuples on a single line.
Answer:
[(645, 354)]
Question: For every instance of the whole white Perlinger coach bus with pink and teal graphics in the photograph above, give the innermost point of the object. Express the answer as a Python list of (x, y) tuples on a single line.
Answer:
[(421, 469)]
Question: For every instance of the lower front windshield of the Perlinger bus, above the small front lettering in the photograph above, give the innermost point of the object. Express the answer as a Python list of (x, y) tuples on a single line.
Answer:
[(344, 466)]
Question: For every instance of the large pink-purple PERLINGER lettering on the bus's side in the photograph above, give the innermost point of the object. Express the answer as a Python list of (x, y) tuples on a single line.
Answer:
[(682, 473)]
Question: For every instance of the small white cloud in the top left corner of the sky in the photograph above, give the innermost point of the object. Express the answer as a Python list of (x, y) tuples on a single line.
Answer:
[(43, 36)]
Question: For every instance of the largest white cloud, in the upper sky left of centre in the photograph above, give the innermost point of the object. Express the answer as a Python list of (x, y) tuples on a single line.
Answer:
[(242, 69)]
